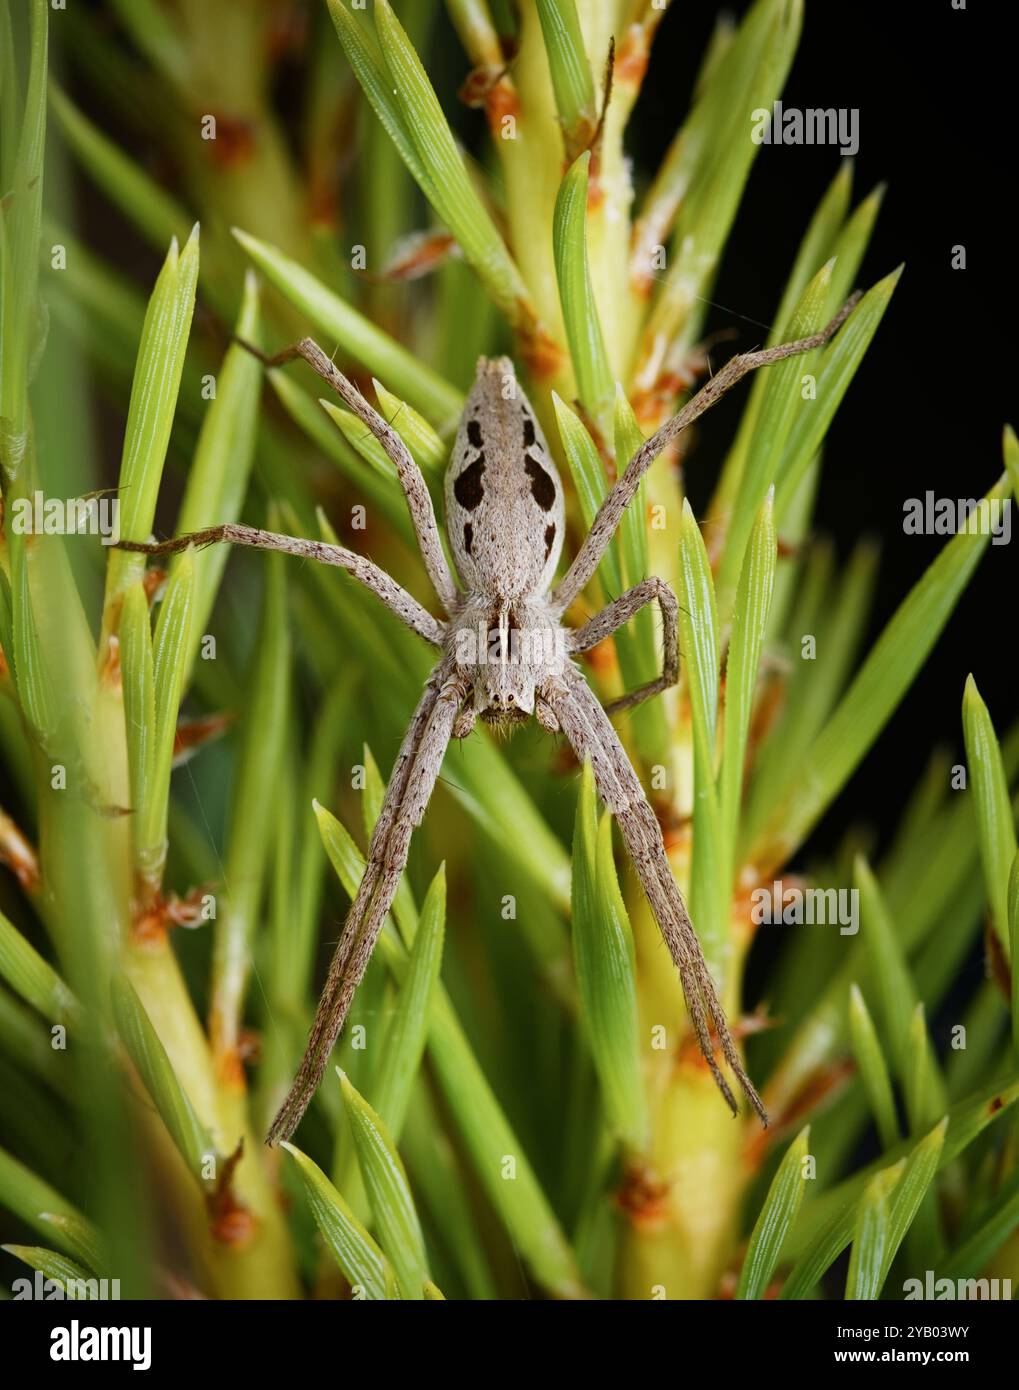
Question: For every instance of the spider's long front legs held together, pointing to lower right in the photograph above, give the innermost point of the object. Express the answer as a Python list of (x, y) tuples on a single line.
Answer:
[(593, 737)]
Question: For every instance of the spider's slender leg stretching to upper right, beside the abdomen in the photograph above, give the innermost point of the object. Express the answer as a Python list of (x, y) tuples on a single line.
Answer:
[(614, 507)]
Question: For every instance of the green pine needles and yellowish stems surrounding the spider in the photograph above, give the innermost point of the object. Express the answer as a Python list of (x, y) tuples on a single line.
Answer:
[(516, 1085)]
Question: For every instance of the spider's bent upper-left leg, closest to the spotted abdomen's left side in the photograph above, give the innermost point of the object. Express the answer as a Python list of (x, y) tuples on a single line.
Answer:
[(412, 482)]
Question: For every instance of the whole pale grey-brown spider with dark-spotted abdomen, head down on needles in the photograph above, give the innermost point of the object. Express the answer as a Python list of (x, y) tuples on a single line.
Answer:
[(505, 528)]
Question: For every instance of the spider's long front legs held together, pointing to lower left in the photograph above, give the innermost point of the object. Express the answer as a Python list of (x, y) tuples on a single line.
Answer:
[(408, 794)]
